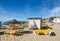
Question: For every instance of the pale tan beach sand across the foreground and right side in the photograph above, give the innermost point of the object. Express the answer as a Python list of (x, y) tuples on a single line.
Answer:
[(33, 37)]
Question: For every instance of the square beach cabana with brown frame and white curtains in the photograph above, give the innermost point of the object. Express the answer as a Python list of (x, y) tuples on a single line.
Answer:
[(35, 22)]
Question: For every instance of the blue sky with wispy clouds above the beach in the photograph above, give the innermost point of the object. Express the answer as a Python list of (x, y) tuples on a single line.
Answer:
[(23, 9)]
